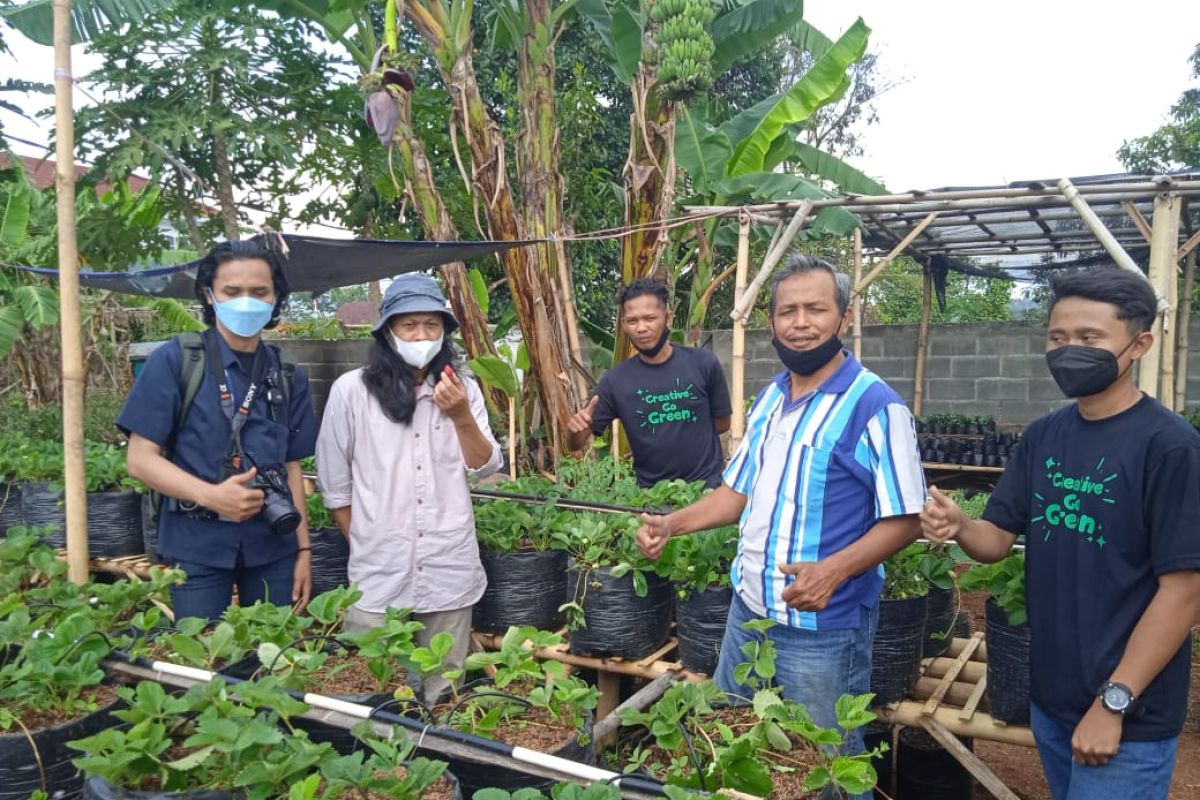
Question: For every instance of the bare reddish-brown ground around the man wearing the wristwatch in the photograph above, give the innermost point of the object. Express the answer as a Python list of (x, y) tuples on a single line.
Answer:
[(1022, 772)]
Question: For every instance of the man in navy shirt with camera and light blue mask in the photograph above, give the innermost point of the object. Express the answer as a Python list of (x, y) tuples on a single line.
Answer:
[(218, 425)]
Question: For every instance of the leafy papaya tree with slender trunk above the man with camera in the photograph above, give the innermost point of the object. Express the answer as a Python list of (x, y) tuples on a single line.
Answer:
[(235, 95)]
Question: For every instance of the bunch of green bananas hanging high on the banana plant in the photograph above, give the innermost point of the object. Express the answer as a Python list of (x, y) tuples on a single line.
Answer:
[(685, 47)]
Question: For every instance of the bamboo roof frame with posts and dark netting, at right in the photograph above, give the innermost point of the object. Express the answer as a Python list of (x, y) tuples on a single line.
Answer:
[(1024, 226)]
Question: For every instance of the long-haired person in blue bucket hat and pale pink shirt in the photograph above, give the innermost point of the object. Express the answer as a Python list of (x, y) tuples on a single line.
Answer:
[(398, 442)]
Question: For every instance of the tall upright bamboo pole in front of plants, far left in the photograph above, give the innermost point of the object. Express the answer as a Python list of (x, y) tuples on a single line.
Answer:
[(74, 377)]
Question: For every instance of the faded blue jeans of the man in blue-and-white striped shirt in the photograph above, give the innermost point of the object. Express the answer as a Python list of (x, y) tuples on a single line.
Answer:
[(814, 669)]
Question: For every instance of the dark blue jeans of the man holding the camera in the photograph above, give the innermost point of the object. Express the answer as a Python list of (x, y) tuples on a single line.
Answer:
[(208, 591)]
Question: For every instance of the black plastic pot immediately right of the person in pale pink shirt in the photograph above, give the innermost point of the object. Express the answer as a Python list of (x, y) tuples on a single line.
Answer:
[(525, 588)]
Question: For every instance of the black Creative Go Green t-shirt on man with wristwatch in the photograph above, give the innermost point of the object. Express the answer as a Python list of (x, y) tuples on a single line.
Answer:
[(1106, 508)]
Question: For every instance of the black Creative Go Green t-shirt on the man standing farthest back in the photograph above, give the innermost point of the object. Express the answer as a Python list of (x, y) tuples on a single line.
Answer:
[(668, 411)]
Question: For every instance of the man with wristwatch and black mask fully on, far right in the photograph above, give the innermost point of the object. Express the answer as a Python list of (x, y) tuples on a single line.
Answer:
[(1107, 495)]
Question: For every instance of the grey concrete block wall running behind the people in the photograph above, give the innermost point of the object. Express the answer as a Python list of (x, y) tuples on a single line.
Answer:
[(992, 369)]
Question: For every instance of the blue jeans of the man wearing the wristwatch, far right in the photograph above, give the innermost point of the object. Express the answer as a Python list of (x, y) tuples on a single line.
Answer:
[(1142, 771)]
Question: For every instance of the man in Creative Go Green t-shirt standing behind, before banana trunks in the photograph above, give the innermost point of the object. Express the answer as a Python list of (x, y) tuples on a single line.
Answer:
[(673, 401)]
